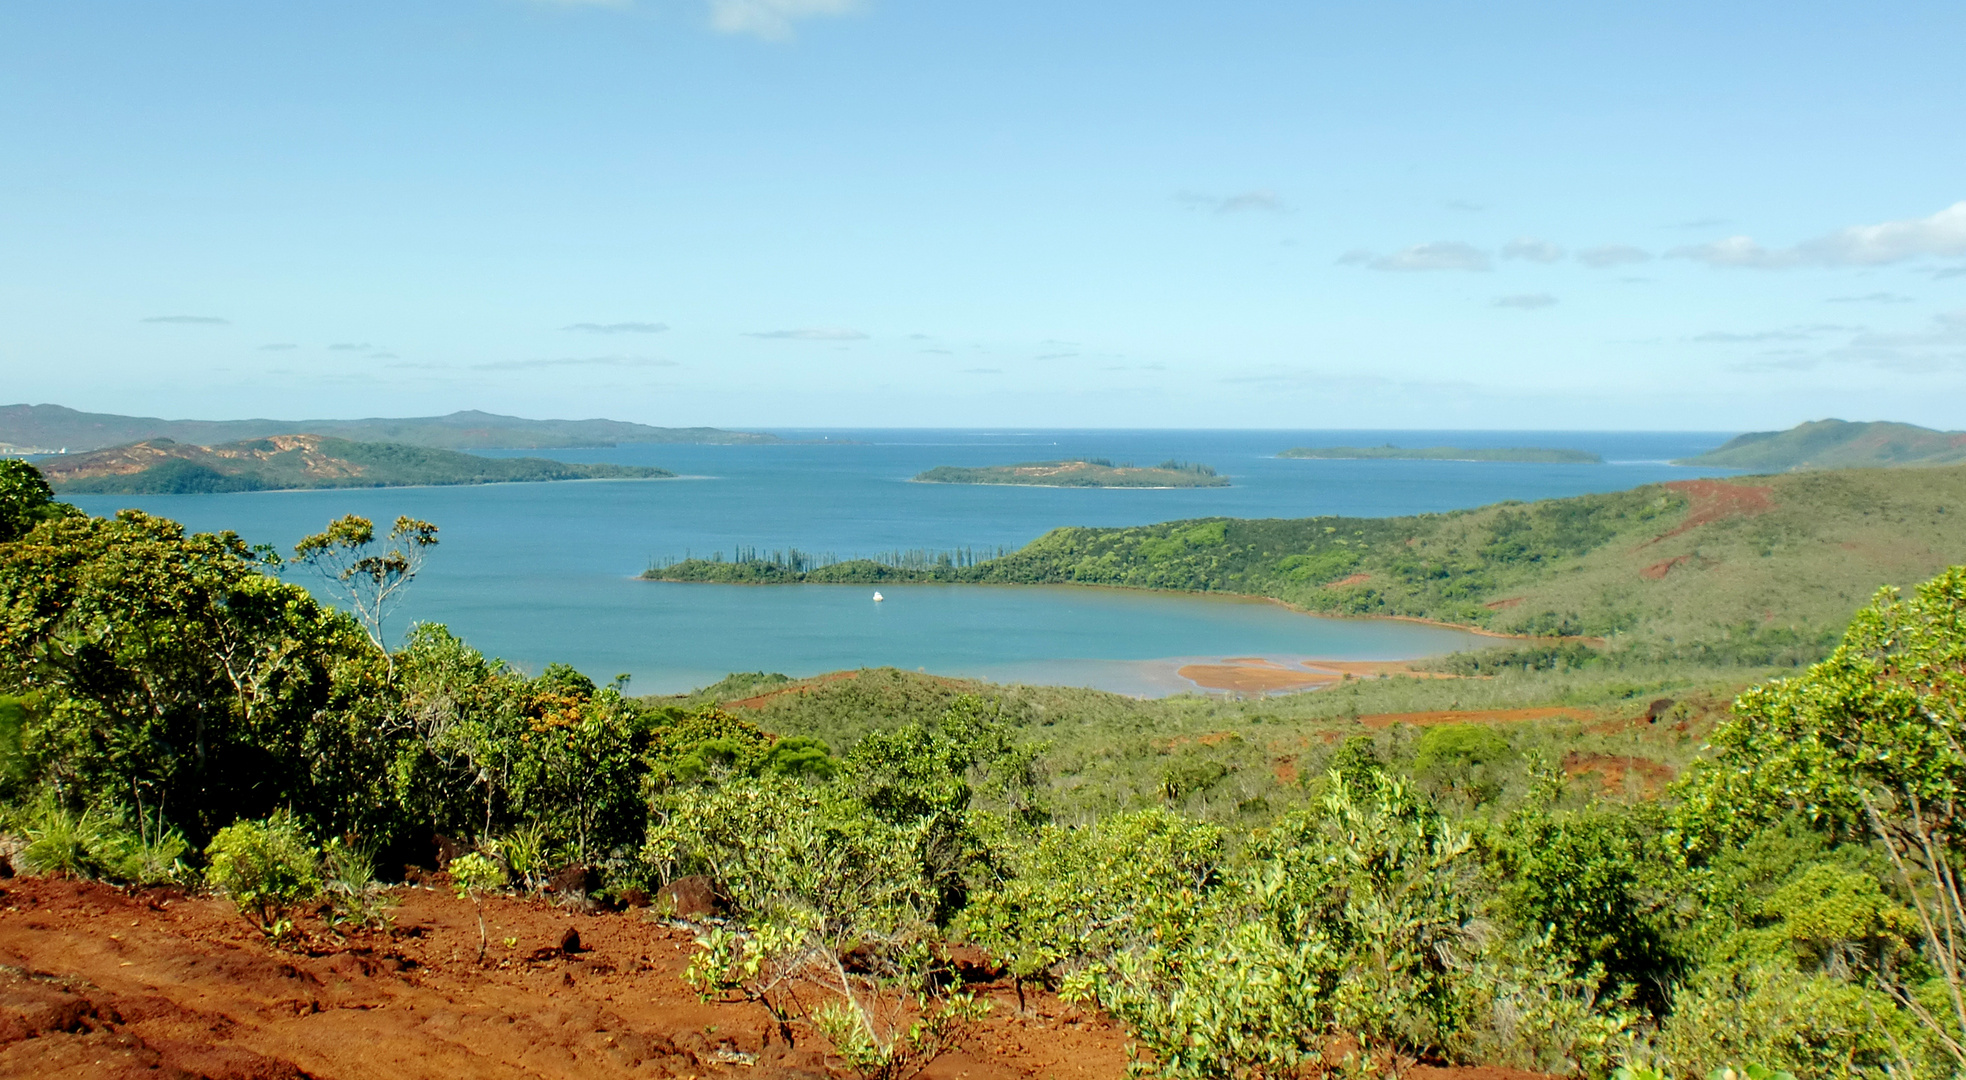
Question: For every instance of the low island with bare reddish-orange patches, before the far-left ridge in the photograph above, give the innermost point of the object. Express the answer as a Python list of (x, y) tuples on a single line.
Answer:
[(164, 467)]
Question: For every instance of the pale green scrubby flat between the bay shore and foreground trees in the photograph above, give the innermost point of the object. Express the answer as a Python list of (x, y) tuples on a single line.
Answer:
[(1108, 752)]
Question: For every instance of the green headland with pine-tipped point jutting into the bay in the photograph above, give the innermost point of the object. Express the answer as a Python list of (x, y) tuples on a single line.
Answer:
[(1741, 571)]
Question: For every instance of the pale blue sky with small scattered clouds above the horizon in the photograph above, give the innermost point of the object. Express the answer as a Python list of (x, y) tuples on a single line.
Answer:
[(994, 213)]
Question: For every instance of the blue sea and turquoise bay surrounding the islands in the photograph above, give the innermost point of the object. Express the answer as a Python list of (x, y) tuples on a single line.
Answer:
[(540, 573)]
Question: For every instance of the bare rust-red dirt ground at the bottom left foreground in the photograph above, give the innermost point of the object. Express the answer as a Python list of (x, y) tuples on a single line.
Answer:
[(99, 985)]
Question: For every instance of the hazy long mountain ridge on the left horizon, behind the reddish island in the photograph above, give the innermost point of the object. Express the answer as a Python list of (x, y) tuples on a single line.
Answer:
[(54, 428)]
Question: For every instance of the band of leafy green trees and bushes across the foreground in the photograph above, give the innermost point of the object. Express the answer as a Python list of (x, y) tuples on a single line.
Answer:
[(174, 711)]
